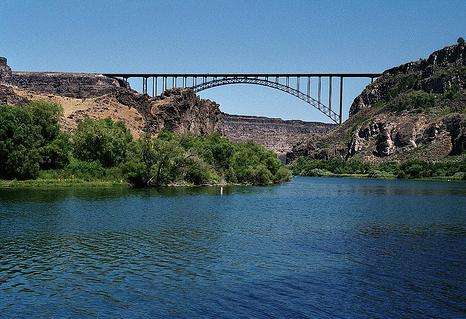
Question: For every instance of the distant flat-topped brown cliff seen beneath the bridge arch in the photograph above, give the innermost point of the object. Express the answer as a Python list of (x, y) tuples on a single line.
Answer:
[(274, 133)]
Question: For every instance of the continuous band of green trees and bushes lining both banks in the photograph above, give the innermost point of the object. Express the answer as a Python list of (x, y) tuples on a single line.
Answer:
[(34, 153)]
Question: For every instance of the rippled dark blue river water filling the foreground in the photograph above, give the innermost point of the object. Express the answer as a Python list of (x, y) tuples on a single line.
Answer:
[(312, 248)]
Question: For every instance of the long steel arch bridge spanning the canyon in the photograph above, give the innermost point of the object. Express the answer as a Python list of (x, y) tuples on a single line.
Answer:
[(296, 84)]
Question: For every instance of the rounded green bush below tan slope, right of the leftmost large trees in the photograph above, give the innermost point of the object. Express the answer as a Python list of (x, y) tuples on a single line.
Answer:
[(101, 140)]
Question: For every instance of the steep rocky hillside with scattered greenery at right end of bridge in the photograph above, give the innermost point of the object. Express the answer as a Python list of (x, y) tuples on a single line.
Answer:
[(416, 110)]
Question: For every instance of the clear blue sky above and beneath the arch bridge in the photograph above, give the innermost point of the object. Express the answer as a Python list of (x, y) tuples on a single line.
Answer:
[(229, 36)]
